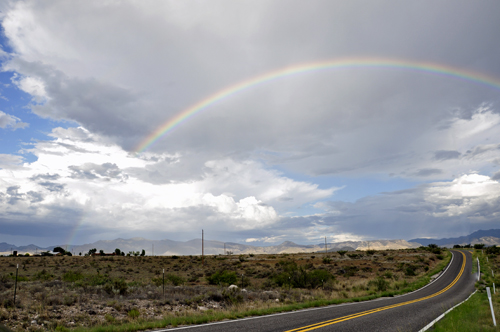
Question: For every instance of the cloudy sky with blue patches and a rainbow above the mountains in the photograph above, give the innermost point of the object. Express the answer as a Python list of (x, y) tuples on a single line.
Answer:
[(257, 121)]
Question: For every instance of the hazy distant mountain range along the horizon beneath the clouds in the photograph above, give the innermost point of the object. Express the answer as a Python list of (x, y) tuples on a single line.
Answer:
[(193, 247)]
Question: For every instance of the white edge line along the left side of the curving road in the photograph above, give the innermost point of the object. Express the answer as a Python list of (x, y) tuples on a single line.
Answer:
[(304, 310)]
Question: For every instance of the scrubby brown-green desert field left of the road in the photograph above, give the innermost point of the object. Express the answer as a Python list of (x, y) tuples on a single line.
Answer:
[(120, 293)]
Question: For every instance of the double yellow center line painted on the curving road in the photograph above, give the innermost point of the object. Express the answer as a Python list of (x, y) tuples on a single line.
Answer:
[(368, 312)]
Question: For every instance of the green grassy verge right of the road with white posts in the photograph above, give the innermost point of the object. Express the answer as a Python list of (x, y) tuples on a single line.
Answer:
[(475, 314)]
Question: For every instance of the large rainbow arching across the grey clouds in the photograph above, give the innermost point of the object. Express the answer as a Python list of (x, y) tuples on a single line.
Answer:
[(426, 67)]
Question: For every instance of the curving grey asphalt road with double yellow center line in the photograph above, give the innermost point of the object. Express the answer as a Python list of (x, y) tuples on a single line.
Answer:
[(410, 312)]
